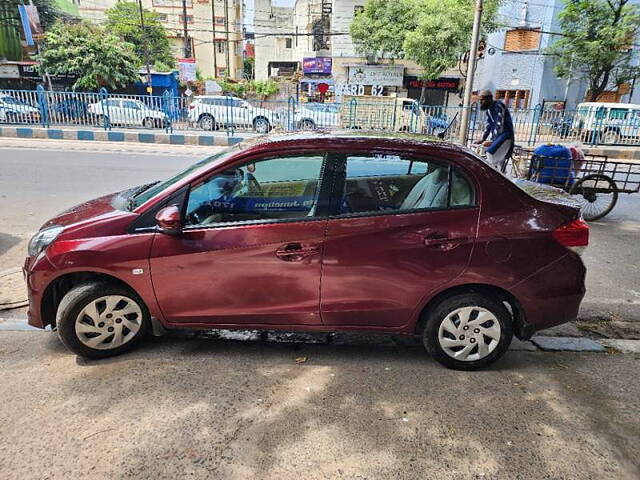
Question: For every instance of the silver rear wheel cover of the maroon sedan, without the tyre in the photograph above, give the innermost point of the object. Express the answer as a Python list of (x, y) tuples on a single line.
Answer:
[(469, 334)]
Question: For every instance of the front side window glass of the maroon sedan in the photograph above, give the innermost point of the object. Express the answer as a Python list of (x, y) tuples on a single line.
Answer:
[(273, 189)]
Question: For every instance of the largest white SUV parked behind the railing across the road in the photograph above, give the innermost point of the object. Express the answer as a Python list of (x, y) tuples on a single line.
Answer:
[(215, 111)]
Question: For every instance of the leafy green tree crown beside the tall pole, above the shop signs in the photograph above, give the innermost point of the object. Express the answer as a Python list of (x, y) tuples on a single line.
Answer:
[(433, 33)]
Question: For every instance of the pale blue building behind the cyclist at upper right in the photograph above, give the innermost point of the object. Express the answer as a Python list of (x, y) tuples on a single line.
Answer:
[(517, 69)]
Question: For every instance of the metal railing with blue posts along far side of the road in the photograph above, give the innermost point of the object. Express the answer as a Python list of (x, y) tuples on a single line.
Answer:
[(595, 125)]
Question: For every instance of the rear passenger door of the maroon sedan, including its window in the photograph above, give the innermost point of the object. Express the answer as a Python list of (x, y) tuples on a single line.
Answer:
[(405, 227)]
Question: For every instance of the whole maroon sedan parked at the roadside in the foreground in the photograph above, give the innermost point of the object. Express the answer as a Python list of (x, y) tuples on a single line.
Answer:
[(316, 232)]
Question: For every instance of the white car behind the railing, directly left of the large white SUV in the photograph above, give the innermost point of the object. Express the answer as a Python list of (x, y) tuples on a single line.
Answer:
[(127, 112)]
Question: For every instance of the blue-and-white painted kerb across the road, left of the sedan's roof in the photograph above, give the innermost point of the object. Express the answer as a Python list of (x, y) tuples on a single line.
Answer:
[(160, 138)]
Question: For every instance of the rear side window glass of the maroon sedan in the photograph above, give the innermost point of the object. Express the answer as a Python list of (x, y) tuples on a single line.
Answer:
[(380, 182)]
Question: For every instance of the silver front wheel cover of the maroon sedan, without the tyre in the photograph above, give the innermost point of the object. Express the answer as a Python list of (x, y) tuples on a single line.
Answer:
[(108, 322)]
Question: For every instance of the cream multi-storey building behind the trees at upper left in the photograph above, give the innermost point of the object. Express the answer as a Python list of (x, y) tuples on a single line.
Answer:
[(216, 38)]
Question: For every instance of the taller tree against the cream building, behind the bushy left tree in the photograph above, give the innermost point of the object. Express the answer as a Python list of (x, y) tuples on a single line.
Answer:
[(123, 20)]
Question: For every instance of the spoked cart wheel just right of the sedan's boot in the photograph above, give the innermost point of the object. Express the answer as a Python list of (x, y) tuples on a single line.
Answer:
[(597, 195)]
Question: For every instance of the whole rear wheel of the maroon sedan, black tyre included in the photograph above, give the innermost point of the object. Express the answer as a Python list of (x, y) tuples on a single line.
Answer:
[(457, 328)]
